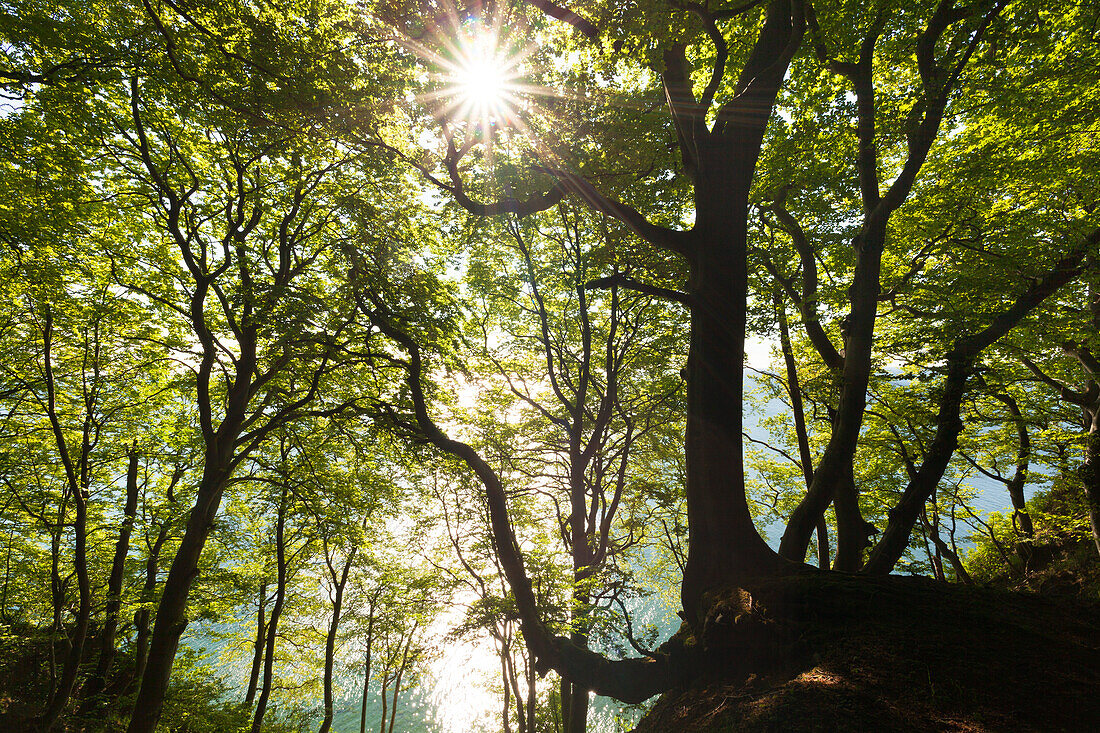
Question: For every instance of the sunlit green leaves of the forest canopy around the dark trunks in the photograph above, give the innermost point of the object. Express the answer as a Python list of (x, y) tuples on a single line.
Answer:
[(208, 209)]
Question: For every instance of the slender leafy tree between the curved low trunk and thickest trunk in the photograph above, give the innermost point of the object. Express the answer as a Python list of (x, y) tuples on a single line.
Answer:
[(592, 391)]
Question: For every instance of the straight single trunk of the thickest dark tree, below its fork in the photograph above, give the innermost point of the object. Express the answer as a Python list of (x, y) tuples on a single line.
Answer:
[(723, 542)]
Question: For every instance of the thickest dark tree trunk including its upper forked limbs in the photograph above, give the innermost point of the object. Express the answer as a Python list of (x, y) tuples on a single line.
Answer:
[(724, 545)]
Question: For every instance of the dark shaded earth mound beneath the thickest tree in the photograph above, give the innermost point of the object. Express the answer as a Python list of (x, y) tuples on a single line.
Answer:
[(829, 652)]
